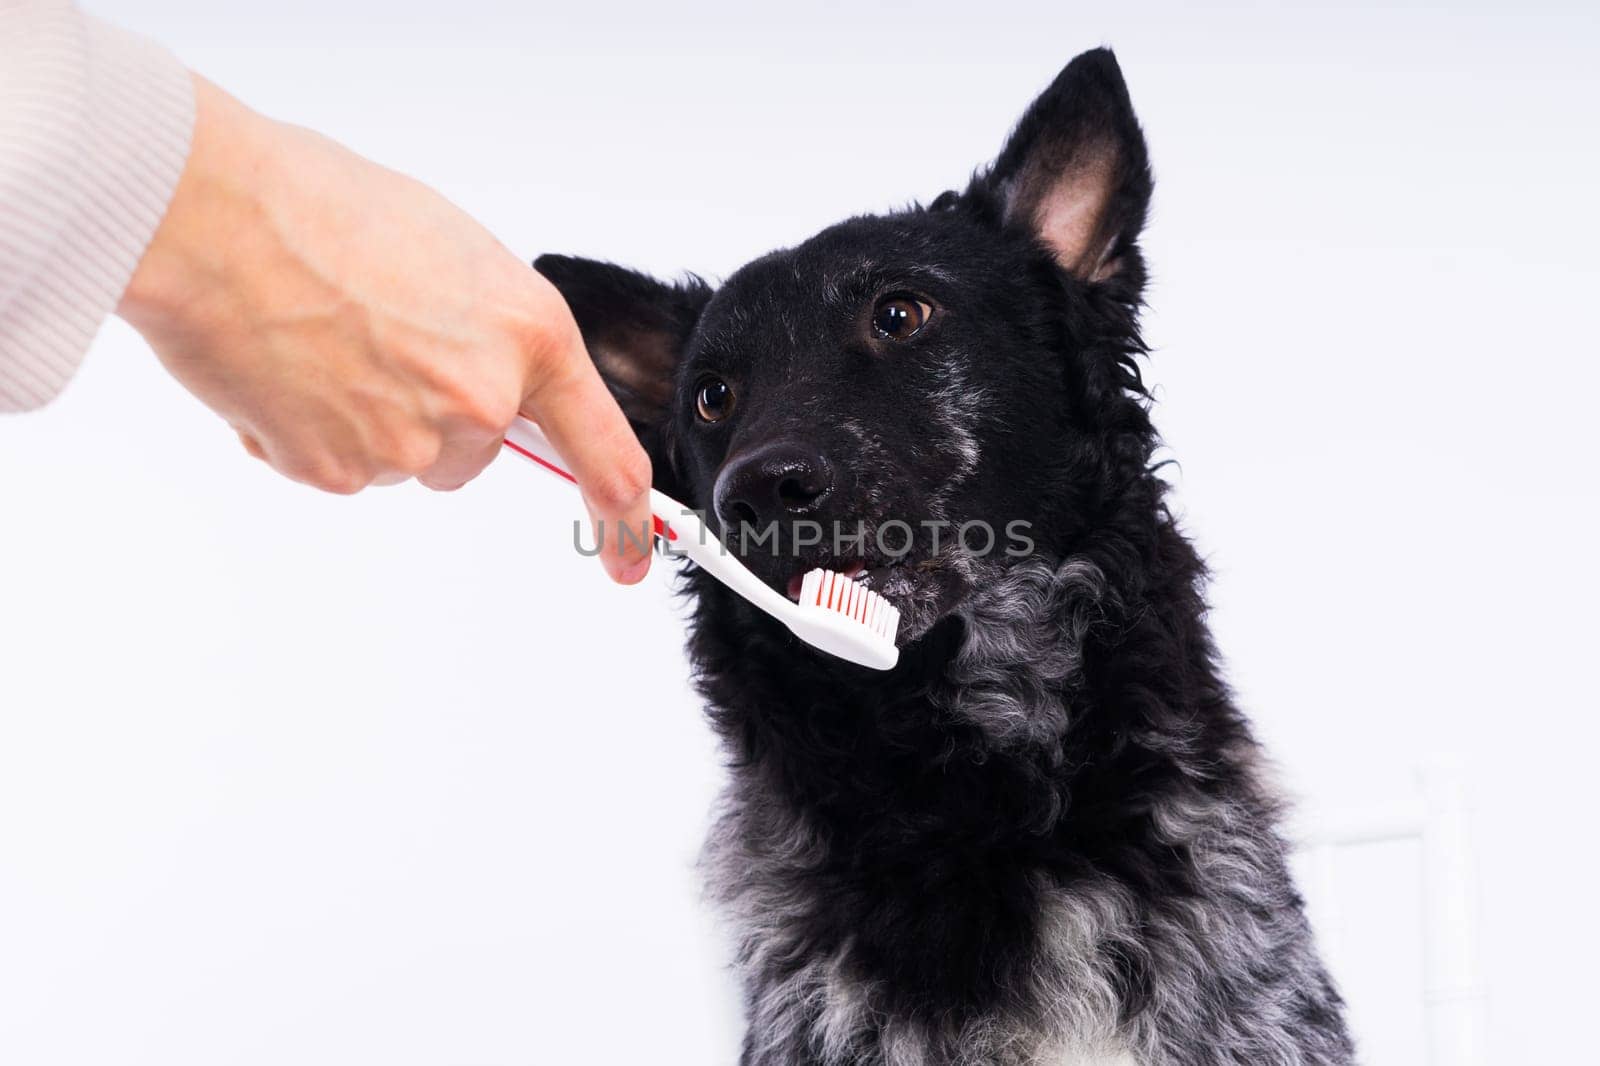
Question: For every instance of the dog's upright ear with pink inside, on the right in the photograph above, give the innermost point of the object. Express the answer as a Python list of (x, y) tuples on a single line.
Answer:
[(1078, 175)]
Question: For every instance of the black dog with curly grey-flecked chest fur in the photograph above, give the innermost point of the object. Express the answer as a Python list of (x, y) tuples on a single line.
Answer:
[(1047, 835)]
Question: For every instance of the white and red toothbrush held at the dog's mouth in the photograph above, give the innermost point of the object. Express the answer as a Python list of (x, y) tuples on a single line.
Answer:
[(836, 614)]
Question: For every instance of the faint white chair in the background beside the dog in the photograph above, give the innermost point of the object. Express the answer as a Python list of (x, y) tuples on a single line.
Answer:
[(1455, 1000)]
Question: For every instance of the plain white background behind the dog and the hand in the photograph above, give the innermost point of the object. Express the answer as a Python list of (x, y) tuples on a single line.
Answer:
[(398, 779)]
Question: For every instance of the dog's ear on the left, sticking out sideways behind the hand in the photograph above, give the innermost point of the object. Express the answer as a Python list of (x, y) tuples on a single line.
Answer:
[(634, 329)]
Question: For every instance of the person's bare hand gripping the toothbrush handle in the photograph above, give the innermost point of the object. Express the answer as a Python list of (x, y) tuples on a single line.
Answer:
[(358, 329)]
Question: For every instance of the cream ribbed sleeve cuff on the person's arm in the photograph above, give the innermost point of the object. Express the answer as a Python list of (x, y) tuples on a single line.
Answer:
[(95, 129)]
